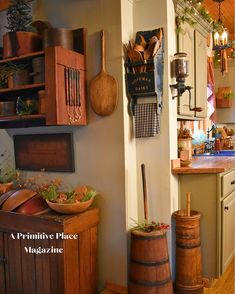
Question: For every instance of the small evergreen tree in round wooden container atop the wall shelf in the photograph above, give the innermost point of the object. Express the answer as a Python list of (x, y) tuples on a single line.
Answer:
[(20, 39)]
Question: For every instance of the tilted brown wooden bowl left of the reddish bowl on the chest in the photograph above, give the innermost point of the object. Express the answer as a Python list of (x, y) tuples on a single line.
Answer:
[(17, 198)]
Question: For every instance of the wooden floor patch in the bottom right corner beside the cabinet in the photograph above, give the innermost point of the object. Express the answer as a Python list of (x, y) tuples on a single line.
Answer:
[(226, 284)]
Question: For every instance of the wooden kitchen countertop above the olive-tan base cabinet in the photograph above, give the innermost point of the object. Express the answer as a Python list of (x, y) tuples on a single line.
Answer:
[(207, 165)]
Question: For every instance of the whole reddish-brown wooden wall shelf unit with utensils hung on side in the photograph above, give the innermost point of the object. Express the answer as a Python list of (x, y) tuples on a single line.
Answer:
[(65, 96)]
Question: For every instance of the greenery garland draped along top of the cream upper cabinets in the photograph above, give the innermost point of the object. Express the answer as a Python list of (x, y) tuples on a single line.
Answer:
[(195, 7)]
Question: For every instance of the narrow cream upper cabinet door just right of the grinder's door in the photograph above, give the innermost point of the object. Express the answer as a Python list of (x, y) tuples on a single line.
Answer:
[(200, 74)]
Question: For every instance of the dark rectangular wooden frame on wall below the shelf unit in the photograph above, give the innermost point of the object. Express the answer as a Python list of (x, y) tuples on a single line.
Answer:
[(49, 152)]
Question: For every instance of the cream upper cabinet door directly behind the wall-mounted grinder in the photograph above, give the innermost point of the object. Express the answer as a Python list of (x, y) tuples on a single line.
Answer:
[(186, 44)]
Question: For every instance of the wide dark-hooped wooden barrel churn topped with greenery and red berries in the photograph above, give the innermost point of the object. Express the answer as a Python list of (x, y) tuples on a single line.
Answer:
[(149, 268)]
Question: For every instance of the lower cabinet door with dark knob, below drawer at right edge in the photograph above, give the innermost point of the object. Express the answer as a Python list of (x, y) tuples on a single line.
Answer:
[(228, 229)]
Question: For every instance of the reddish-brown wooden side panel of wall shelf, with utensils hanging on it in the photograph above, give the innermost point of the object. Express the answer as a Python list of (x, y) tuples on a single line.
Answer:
[(65, 92)]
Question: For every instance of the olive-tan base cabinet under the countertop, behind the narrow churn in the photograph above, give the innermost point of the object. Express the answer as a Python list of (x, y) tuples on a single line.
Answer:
[(213, 196)]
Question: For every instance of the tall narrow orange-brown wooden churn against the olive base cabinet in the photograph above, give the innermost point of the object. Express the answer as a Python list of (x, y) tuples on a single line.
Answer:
[(188, 253)]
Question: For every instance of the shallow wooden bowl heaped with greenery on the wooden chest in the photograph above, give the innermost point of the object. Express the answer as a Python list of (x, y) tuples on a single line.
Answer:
[(70, 208)]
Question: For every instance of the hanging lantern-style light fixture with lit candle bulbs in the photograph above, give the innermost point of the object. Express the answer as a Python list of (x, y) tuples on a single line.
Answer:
[(220, 35)]
